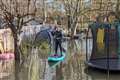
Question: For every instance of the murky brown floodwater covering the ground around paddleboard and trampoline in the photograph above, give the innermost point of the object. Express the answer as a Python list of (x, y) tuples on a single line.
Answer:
[(36, 67)]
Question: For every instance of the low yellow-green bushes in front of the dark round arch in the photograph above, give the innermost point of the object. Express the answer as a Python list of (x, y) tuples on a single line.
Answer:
[(41, 44)]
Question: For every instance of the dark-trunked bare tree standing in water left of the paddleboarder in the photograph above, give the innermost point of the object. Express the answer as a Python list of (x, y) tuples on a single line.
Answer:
[(16, 13)]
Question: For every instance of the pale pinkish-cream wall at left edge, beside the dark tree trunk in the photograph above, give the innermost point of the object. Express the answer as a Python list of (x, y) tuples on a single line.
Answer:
[(6, 41)]
